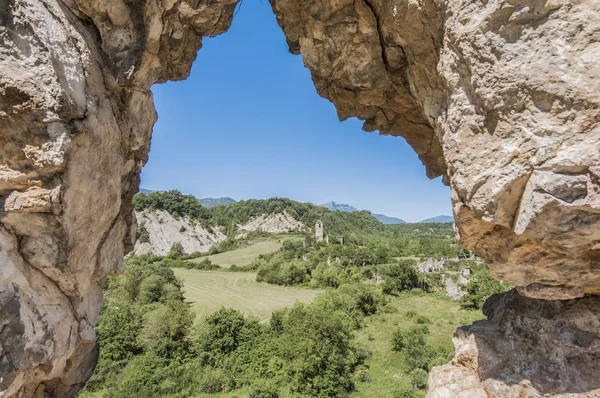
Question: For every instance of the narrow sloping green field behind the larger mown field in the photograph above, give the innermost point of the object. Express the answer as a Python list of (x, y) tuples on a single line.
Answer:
[(247, 254)]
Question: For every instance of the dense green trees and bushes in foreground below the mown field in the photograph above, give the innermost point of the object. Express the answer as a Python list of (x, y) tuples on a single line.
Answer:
[(150, 349)]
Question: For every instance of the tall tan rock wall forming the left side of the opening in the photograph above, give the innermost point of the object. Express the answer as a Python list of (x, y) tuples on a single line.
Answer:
[(76, 114)]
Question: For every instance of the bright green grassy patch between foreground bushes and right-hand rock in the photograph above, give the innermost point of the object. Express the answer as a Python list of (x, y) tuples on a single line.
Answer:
[(386, 367)]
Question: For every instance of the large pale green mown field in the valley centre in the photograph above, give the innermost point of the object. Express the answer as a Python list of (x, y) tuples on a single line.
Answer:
[(211, 290)]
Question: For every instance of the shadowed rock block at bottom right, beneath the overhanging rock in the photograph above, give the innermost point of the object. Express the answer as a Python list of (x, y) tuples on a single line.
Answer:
[(526, 348)]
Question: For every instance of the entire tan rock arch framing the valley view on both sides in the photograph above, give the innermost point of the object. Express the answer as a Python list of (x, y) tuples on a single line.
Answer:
[(501, 98)]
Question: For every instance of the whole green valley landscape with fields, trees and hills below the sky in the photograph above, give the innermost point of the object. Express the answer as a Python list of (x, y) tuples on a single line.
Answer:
[(275, 298)]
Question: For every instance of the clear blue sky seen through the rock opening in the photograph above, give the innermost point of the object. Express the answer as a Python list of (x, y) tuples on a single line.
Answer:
[(248, 123)]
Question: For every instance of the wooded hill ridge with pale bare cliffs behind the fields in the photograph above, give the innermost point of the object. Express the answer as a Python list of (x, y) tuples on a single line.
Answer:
[(169, 217)]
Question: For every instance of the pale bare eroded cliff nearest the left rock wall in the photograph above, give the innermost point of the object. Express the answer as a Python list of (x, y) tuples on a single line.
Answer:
[(161, 230)]
